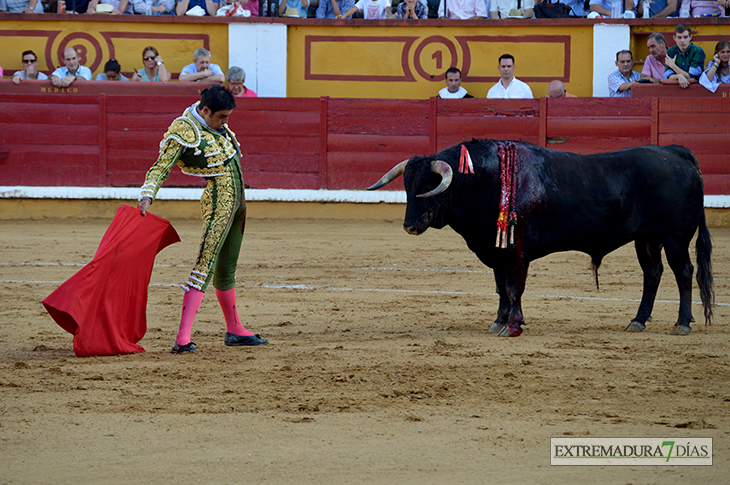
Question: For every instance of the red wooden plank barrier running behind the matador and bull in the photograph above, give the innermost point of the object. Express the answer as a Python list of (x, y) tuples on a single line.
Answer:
[(307, 143)]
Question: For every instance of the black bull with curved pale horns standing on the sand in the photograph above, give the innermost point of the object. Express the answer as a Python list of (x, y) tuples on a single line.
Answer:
[(563, 201)]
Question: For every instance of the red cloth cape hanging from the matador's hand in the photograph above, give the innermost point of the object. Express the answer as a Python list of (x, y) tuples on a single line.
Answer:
[(104, 305)]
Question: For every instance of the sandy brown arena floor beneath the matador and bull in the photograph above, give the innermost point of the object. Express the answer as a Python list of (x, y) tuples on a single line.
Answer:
[(379, 368)]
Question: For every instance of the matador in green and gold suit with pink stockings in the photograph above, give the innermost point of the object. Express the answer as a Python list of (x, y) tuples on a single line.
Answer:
[(202, 145)]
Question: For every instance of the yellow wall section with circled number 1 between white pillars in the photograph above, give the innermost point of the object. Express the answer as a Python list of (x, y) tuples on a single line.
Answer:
[(410, 62)]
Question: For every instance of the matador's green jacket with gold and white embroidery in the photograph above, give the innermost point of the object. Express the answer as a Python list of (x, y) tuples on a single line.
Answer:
[(195, 148)]
